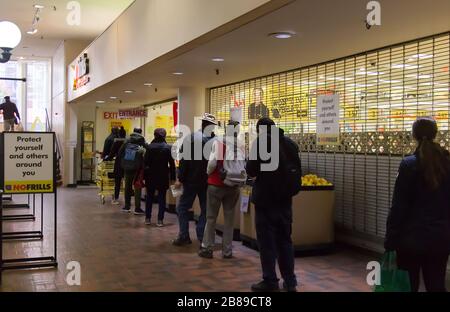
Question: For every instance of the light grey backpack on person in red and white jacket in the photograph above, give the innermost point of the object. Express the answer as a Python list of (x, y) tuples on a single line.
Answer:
[(233, 171)]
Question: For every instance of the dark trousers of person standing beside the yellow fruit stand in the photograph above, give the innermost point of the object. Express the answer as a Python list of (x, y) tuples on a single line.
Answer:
[(274, 230)]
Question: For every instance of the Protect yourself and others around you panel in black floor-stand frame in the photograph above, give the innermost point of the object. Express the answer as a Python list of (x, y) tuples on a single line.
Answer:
[(29, 163)]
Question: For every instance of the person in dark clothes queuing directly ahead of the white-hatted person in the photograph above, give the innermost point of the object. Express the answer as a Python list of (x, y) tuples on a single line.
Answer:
[(159, 168)]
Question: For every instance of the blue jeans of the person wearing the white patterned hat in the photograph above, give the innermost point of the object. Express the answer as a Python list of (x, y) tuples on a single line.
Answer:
[(185, 204)]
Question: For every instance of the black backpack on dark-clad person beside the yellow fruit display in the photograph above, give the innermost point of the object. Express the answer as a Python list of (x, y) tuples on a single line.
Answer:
[(291, 169)]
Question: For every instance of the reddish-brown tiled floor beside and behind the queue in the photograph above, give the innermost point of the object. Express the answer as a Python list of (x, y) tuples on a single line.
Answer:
[(117, 252)]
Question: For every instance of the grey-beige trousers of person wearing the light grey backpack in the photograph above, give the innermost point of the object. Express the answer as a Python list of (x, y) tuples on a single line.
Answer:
[(229, 198)]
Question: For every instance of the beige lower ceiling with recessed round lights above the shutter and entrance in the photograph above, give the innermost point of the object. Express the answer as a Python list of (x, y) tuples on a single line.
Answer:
[(327, 29)]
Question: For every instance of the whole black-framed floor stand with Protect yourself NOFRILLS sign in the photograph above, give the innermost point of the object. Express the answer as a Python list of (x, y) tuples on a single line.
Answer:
[(28, 166)]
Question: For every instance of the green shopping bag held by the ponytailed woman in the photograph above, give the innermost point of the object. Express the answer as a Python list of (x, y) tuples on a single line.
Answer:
[(392, 279)]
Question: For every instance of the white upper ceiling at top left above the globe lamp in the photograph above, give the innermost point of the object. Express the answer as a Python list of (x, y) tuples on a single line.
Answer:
[(96, 16)]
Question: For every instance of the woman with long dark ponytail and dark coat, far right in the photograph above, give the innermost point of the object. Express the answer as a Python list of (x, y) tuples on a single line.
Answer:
[(418, 226)]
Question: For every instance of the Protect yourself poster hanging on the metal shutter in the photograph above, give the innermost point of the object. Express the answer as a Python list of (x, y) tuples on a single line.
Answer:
[(328, 119)]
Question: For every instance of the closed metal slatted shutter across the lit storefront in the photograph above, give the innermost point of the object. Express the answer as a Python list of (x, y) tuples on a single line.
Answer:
[(382, 93)]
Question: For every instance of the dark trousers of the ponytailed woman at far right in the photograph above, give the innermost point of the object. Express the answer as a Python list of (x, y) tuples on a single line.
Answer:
[(432, 265)]
